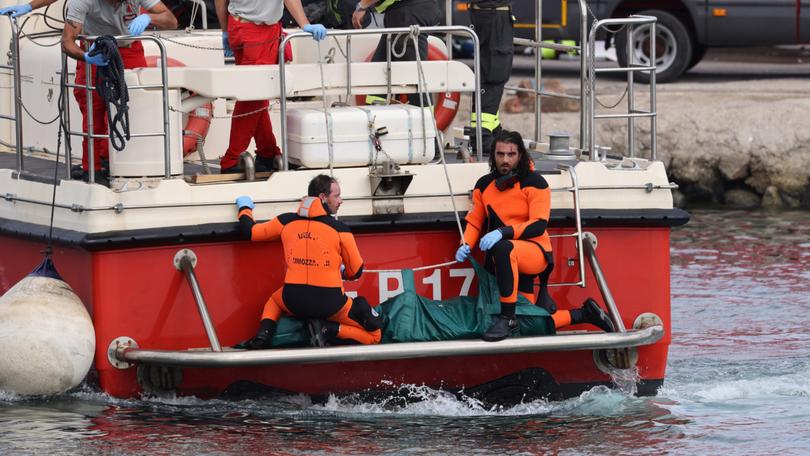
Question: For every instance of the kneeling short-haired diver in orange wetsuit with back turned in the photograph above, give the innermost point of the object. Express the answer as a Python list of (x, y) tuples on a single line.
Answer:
[(319, 252)]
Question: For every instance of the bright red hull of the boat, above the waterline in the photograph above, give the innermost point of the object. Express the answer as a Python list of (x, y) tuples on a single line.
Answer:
[(137, 292)]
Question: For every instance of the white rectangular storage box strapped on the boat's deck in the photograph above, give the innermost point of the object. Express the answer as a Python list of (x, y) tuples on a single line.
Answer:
[(351, 135)]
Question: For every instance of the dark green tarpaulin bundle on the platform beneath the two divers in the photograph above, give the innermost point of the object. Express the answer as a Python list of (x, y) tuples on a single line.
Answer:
[(413, 318)]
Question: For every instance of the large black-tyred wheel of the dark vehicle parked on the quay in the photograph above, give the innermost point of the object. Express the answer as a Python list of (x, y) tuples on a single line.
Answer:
[(673, 47)]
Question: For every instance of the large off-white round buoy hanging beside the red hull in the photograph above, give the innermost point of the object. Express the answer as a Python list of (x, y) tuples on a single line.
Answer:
[(47, 340)]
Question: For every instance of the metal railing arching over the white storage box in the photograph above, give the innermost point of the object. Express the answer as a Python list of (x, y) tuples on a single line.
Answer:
[(388, 32)]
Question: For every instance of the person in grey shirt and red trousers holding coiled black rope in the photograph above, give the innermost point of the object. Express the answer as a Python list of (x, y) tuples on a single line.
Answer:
[(107, 17)]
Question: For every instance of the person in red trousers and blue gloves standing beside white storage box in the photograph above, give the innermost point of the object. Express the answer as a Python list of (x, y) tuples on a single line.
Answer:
[(251, 32)]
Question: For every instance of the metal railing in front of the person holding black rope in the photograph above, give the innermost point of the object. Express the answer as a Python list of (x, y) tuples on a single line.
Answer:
[(89, 88)]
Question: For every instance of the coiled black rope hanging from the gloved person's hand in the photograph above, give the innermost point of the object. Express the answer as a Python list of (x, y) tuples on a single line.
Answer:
[(112, 88)]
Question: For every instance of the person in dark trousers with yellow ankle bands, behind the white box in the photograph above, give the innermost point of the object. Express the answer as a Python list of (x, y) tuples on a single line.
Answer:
[(399, 13)]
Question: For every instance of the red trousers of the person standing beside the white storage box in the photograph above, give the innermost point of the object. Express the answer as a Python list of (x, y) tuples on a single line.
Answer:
[(252, 44)]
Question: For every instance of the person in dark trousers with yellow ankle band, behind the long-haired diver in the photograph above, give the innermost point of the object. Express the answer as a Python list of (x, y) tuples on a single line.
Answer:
[(492, 21)]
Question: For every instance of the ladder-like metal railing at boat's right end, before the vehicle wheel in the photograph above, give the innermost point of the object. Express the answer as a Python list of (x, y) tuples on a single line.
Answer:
[(632, 113)]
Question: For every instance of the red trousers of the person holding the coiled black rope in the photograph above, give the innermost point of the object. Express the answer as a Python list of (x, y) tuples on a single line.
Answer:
[(133, 58)]
